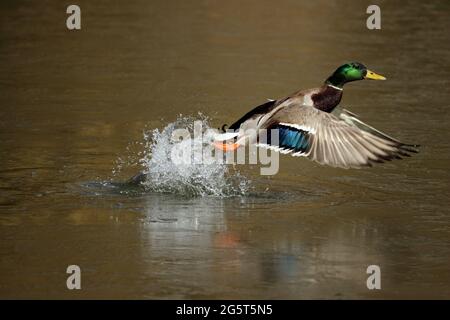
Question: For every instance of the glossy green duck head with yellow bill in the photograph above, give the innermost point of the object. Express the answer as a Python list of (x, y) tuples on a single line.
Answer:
[(351, 72)]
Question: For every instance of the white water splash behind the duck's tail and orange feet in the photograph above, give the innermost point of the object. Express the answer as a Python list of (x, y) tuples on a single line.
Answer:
[(187, 179)]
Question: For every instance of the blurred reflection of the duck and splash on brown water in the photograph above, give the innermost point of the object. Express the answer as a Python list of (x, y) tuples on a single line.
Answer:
[(203, 241)]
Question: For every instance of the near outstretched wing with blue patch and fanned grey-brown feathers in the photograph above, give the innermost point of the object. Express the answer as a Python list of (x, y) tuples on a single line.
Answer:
[(344, 142)]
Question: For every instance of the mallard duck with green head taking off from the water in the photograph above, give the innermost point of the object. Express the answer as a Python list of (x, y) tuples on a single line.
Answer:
[(309, 125)]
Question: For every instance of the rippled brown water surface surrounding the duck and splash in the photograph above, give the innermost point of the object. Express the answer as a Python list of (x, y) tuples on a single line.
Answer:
[(73, 103)]
